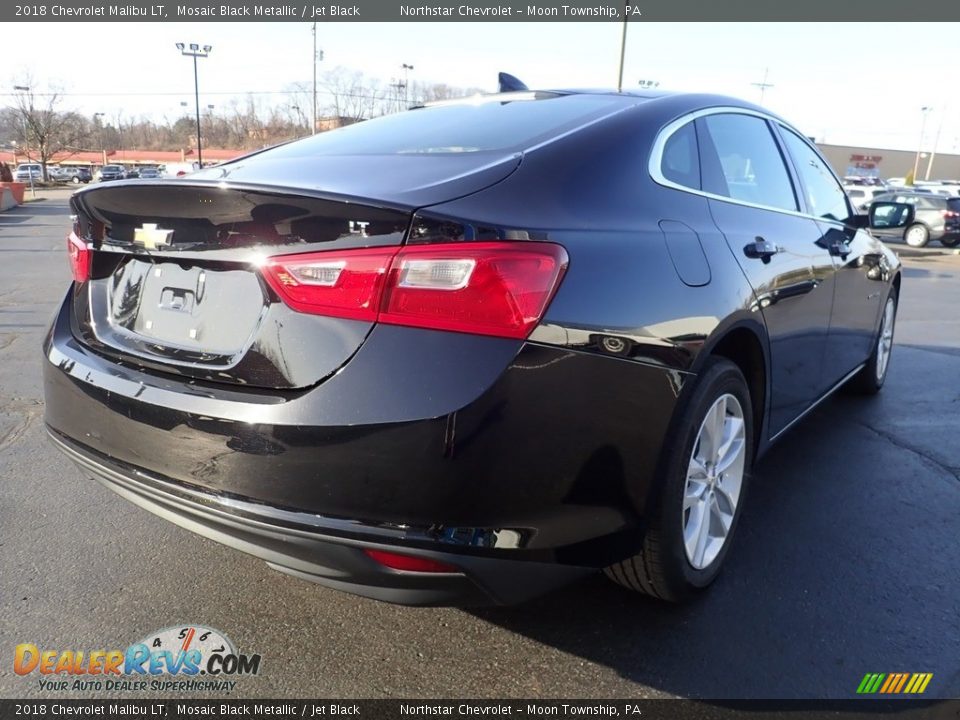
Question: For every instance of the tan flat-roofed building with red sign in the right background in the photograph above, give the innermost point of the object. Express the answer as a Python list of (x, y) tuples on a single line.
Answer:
[(848, 160)]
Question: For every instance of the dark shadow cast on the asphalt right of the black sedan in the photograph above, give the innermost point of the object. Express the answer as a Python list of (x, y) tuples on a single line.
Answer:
[(841, 566)]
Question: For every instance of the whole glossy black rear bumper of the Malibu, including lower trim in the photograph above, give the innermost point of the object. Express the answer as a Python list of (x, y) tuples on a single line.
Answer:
[(525, 466)]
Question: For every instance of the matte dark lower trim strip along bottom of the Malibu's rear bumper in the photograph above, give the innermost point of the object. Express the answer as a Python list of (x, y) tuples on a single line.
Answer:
[(328, 551)]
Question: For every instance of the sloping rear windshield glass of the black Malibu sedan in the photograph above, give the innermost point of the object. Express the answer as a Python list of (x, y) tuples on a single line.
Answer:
[(472, 126)]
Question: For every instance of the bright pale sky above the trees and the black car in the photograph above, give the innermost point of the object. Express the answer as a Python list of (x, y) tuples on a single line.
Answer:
[(842, 83)]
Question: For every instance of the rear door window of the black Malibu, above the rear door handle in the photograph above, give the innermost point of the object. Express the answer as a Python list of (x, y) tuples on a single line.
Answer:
[(746, 163)]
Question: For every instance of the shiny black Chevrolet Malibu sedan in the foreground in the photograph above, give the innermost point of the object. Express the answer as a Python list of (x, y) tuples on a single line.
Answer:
[(471, 352)]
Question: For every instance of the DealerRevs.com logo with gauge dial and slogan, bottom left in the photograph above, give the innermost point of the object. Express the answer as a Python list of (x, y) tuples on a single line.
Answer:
[(185, 658)]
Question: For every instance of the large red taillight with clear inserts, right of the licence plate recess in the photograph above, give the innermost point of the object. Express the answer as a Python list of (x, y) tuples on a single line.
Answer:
[(484, 288)]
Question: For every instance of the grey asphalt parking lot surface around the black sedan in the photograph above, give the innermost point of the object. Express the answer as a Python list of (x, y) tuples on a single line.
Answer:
[(846, 560)]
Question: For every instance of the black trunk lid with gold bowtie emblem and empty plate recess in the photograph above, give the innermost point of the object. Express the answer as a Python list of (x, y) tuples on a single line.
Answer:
[(177, 282)]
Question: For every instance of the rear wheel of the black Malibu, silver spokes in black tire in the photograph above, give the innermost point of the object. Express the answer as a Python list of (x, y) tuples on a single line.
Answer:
[(675, 561)]
